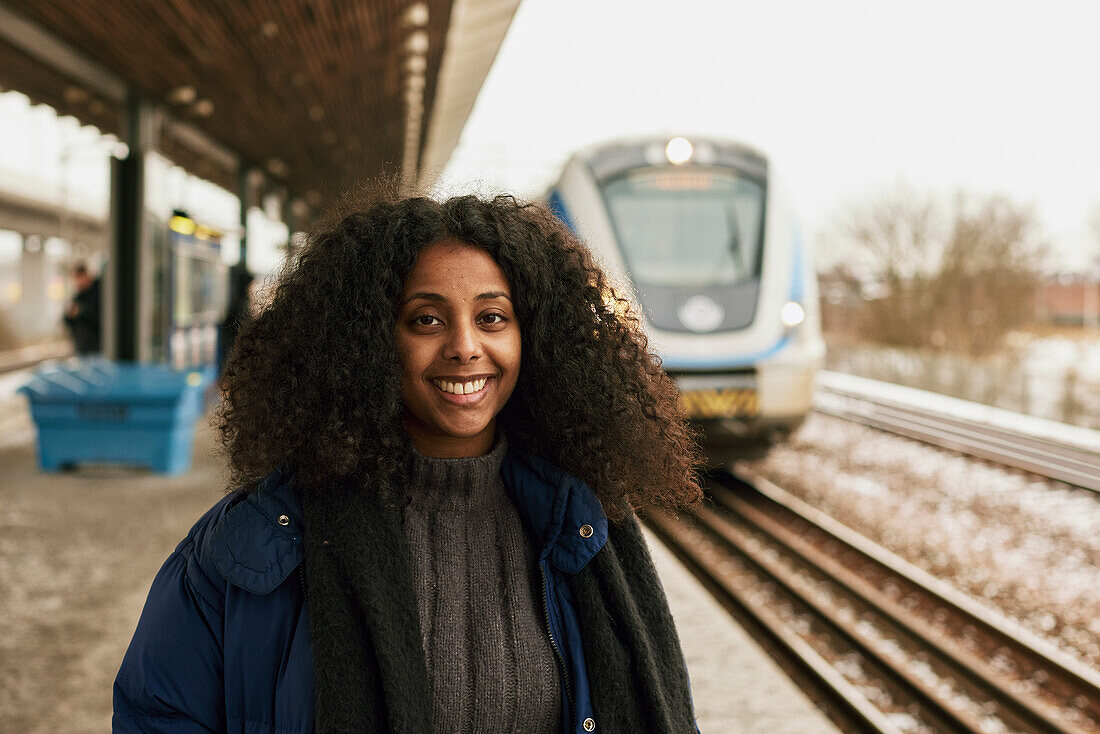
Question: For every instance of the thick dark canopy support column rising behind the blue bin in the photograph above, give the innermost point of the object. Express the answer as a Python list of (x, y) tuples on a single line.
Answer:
[(126, 336)]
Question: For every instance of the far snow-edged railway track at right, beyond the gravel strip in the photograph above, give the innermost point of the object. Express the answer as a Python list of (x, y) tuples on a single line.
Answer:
[(1037, 446)]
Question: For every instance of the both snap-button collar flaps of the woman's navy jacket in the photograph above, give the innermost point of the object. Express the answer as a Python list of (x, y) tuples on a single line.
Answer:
[(258, 543)]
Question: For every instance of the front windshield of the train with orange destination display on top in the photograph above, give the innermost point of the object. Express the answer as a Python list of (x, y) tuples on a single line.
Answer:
[(688, 227)]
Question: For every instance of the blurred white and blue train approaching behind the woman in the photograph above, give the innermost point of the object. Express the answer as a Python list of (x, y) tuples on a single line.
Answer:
[(701, 239)]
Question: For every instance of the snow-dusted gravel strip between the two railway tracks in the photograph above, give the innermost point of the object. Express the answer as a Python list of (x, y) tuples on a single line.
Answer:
[(1025, 545)]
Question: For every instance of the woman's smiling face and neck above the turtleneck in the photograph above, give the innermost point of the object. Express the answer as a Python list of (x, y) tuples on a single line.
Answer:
[(458, 343)]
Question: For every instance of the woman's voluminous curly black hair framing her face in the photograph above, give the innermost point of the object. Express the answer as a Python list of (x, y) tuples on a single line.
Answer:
[(313, 381)]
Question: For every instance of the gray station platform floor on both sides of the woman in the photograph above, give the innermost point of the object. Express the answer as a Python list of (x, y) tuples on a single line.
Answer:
[(79, 552)]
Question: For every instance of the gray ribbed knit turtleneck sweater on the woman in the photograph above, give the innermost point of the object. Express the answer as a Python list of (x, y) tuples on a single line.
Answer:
[(491, 663)]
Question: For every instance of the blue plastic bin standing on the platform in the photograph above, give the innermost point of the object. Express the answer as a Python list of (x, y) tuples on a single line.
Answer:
[(103, 412)]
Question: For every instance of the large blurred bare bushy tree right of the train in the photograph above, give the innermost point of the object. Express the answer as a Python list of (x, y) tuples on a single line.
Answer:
[(956, 276)]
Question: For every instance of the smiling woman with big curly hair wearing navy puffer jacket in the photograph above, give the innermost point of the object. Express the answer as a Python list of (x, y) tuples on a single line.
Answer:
[(439, 428)]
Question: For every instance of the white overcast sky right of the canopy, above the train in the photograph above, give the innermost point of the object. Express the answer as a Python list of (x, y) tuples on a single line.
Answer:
[(845, 96)]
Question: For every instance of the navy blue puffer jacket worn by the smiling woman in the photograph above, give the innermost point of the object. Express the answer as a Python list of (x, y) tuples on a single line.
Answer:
[(224, 642)]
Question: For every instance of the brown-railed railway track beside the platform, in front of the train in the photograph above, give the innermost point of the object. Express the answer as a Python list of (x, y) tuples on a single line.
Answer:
[(882, 647)]
